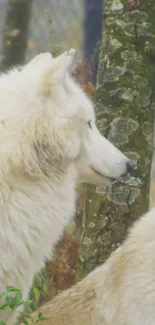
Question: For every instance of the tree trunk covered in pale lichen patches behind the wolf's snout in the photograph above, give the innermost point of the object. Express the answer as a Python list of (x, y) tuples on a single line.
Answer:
[(125, 103)]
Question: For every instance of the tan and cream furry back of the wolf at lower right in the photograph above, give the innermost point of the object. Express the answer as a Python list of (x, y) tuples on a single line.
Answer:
[(120, 292)]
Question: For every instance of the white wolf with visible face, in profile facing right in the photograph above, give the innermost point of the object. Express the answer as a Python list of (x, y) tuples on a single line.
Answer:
[(48, 143)]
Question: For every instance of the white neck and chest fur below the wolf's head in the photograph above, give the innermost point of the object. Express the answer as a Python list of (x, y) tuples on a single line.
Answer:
[(32, 220)]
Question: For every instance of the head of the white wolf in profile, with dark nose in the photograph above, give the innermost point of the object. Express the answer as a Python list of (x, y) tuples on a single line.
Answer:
[(52, 123)]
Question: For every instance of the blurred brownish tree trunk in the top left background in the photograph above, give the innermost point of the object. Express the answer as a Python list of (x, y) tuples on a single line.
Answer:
[(15, 37)]
